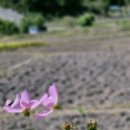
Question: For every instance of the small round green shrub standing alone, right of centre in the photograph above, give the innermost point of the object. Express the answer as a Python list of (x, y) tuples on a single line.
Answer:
[(86, 19)]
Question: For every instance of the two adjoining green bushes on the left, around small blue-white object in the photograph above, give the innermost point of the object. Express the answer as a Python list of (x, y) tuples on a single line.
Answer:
[(9, 28)]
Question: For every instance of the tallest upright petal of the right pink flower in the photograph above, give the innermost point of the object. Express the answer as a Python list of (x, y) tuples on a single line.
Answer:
[(53, 93)]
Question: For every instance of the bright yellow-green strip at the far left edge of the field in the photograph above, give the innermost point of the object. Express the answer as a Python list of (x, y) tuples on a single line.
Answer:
[(17, 45)]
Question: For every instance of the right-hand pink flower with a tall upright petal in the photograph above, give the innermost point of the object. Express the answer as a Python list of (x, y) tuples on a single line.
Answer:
[(49, 101)]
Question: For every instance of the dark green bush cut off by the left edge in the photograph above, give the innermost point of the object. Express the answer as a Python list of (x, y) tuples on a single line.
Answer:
[(8, 27)]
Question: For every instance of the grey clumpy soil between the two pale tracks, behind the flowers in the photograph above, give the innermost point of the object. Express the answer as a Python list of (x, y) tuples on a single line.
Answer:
[(103, 76)]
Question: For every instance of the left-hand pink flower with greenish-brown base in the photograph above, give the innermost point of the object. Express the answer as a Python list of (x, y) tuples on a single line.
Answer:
[(22, 103)]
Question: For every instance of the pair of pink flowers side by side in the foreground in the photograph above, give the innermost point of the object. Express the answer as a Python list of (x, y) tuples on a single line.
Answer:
[(24, 104)]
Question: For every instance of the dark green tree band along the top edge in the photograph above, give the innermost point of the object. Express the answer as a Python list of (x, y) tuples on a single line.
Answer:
[(62, 7)]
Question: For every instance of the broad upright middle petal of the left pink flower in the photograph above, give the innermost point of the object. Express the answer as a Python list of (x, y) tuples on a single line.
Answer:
[(25, 97)]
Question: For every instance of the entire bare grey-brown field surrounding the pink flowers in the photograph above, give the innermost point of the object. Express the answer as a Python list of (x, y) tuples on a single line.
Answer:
[(92, 75)]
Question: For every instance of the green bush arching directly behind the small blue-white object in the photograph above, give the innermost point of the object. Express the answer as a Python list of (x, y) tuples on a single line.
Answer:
[(32, 20)]
